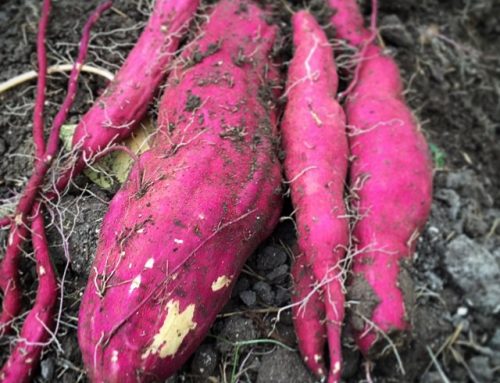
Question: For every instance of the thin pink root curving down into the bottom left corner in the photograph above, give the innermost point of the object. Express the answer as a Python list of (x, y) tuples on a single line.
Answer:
[(38, 325)]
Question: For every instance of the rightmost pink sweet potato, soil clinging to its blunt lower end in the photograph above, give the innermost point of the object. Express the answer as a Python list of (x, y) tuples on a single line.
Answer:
[(391, 175)]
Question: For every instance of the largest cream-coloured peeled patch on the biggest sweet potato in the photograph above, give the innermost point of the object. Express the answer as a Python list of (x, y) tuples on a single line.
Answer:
[(175, 327)]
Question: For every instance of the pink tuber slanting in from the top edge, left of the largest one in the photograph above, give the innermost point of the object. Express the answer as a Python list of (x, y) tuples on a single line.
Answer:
[(125, 101)]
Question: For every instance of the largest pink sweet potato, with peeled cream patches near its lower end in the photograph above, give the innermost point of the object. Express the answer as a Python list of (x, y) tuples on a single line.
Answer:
[(196, 206)]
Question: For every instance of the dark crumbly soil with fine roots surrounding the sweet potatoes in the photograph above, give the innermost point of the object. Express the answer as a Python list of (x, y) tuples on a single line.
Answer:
[(449, 57)]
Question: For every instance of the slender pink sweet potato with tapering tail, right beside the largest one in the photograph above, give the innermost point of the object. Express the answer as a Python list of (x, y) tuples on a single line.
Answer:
[(315, 143)]
